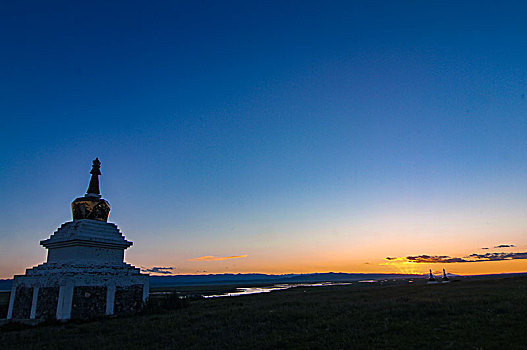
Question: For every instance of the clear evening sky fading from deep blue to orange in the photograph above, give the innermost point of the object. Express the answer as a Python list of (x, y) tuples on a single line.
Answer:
[(230, 128)]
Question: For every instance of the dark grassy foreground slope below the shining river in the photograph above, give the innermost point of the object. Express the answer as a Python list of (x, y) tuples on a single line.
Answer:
[(470, 314)]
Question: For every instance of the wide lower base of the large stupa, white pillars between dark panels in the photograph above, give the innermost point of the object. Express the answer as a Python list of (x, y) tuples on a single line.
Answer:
[(77, 291)]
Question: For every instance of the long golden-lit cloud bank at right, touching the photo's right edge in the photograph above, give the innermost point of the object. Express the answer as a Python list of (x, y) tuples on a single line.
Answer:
[(445, 259)]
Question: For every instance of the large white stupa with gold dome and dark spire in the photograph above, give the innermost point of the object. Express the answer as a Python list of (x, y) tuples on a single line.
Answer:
[(85, 274)]
